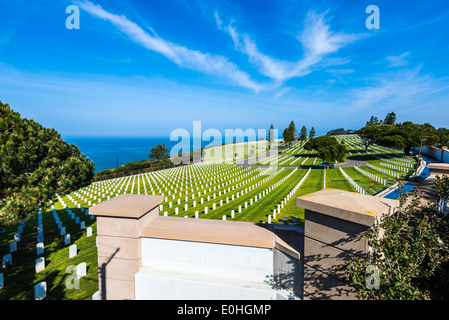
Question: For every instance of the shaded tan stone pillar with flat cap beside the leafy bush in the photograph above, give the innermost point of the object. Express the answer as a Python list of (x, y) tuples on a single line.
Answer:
[(334, 224)]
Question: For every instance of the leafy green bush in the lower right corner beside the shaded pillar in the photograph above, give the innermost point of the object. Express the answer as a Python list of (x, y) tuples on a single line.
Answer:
[(409, 248)]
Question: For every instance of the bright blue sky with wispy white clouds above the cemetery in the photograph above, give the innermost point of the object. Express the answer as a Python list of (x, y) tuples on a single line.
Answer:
[(145, 68)]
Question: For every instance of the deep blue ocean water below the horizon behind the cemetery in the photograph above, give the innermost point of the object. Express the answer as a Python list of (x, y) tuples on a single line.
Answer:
[(110, 152)]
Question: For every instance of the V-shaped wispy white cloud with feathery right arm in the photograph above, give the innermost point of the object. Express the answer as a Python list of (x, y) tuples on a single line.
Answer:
[(316, 38)]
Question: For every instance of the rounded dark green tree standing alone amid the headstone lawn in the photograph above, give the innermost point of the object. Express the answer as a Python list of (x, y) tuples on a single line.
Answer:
[(329, 149)]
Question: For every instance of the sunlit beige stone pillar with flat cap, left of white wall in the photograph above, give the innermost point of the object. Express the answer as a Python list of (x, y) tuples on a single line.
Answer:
[(119, 221)]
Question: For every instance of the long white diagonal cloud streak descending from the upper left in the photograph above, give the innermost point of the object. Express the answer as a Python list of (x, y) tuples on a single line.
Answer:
[(184, 57)]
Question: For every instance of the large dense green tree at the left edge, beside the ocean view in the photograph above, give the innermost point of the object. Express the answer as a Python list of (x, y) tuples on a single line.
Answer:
[(35, 165)]
